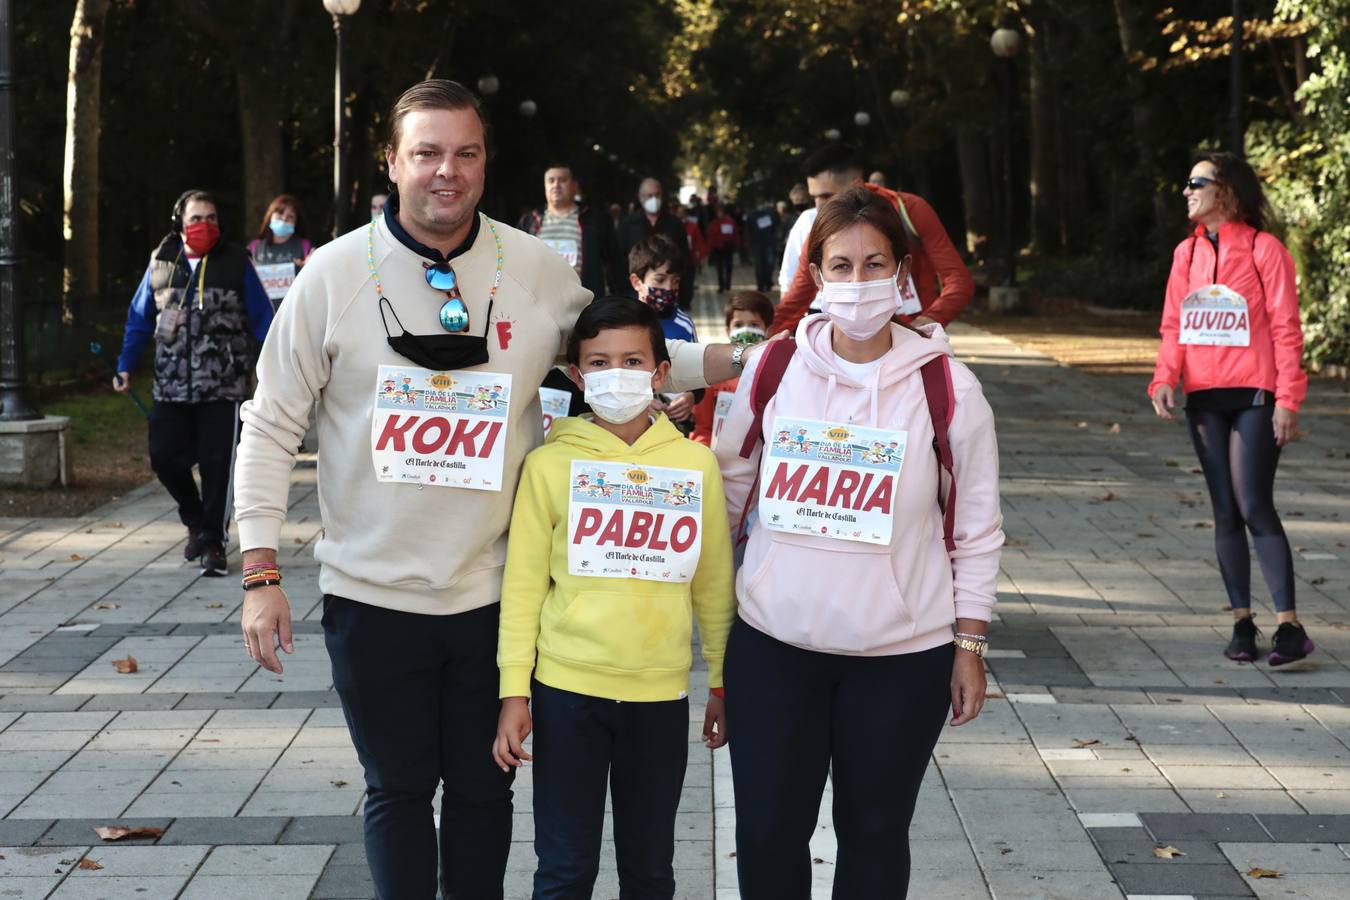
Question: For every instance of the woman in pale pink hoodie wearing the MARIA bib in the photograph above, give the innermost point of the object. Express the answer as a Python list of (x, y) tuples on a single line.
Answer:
[(842, 659)]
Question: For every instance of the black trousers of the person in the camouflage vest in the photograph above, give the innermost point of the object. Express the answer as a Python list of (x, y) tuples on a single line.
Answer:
[(202, 435)]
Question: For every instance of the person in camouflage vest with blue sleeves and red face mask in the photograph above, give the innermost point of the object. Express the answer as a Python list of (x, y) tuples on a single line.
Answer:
[(203, 303)]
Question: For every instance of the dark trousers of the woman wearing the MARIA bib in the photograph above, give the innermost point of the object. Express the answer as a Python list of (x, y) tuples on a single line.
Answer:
[(796, 716)]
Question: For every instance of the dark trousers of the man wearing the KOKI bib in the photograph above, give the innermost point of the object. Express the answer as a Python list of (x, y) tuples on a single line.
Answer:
[(421, 700)]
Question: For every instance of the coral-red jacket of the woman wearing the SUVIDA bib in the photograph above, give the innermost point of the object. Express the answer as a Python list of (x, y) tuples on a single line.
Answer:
[(1258, 266)]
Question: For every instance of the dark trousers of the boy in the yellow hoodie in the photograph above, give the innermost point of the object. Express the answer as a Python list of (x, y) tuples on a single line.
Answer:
[(642, 750)]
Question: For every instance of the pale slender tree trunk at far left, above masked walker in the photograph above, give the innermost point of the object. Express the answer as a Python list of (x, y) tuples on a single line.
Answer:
[(80, 175)]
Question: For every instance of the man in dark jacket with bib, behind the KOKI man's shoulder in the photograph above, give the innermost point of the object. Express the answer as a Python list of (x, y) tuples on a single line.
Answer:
[(581, 235)]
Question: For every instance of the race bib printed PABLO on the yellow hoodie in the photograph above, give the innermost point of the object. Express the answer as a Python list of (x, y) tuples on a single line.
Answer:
[(634, 522)]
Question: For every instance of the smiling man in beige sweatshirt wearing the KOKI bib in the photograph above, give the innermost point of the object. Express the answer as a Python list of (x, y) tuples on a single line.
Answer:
[(425, 339)]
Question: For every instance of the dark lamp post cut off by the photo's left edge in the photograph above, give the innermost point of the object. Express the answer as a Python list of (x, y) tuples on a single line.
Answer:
[(14, 389)]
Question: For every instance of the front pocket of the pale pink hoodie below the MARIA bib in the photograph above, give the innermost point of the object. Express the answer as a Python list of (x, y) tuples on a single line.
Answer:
[(830, 596)]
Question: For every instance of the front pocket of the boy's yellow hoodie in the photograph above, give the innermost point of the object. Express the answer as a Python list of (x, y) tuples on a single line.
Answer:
[(622, 631)]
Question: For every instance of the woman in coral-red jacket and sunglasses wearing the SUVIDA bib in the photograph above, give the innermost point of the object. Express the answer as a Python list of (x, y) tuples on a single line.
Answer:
[(1232, 334)]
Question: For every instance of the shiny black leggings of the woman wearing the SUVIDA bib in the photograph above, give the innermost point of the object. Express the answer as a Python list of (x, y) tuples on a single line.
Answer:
[(1239, 455)]
